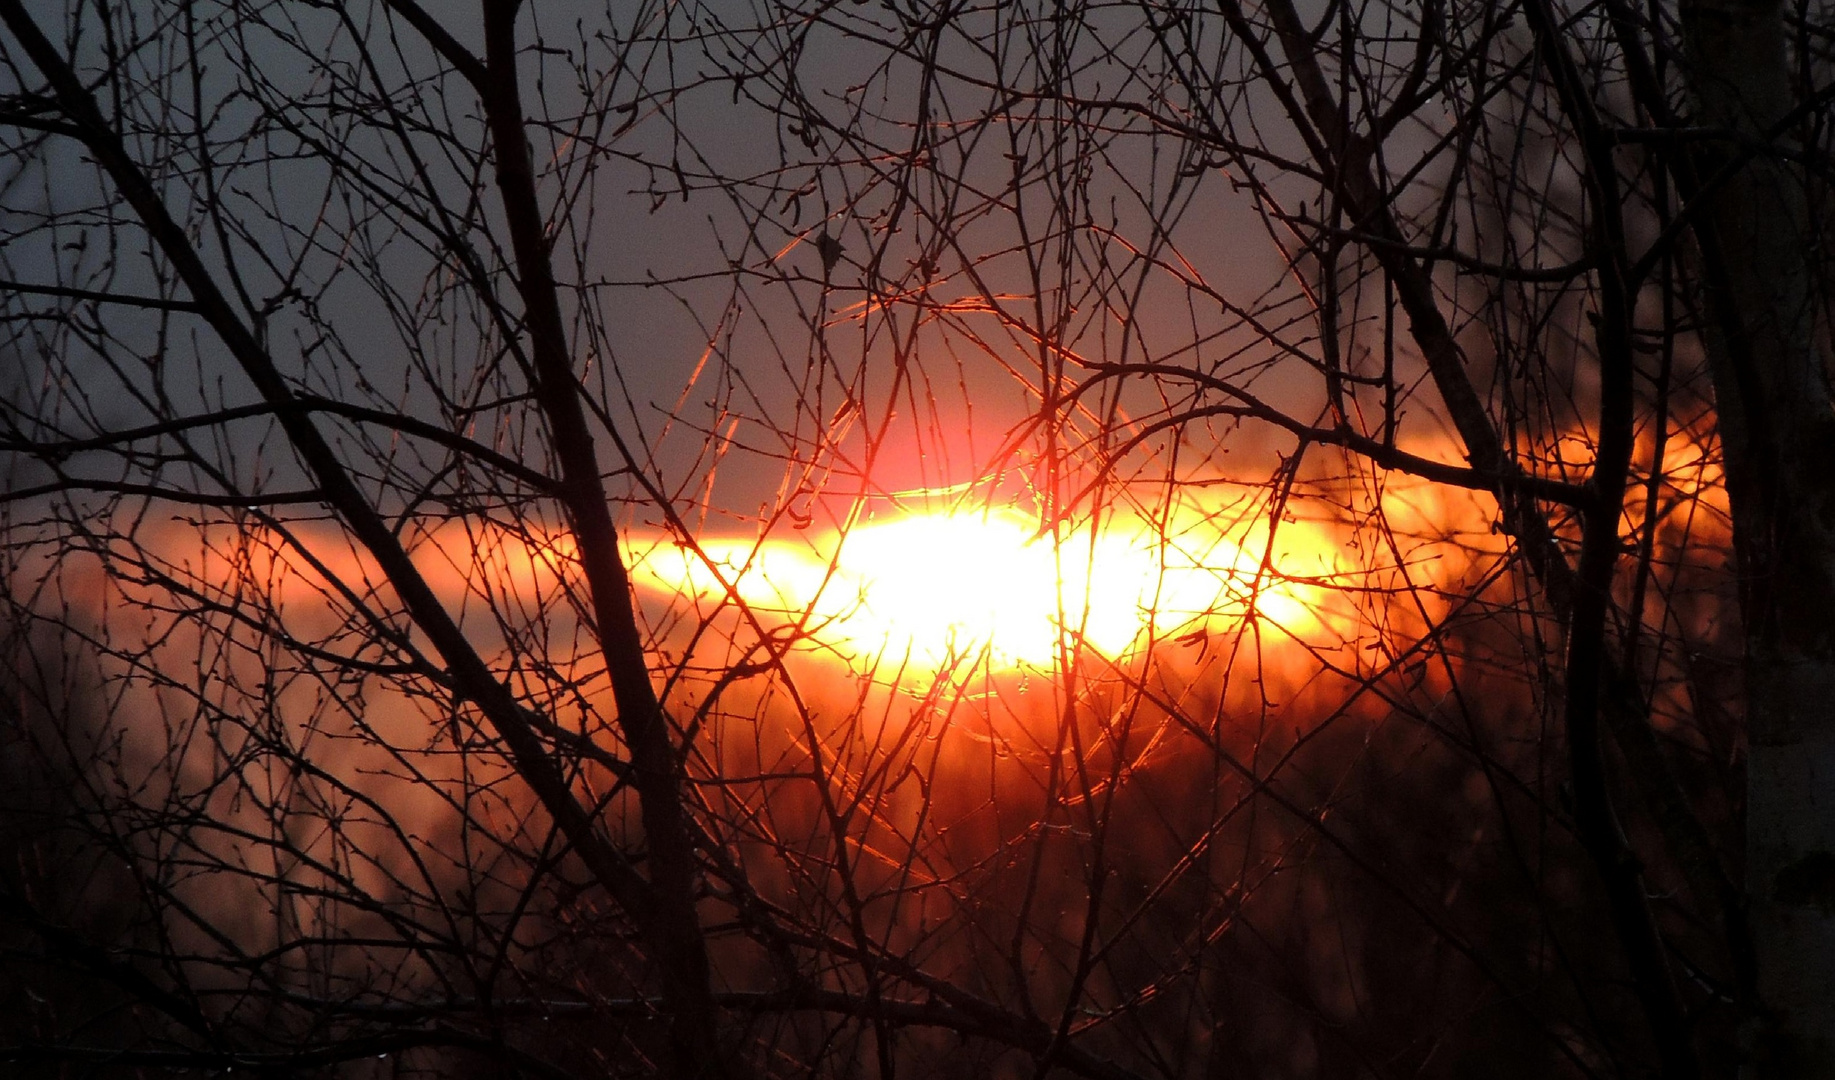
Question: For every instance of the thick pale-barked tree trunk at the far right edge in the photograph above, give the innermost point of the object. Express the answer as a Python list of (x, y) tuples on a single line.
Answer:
[(1779, 441)]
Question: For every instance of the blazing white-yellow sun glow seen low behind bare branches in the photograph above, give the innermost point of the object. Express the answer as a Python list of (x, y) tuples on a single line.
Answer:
[(979, 586)]
